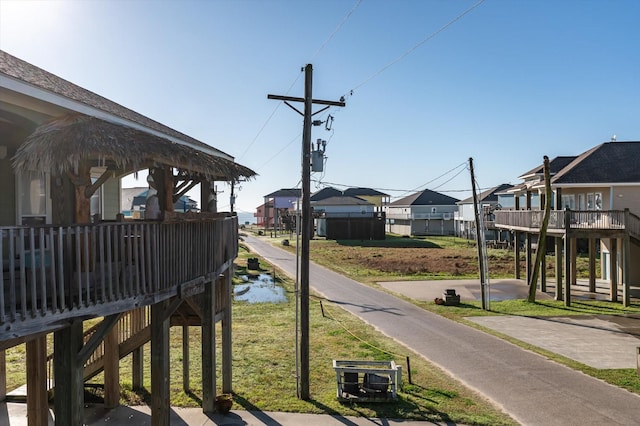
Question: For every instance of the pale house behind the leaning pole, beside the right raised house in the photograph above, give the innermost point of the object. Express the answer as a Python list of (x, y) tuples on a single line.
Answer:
[(465, 216)]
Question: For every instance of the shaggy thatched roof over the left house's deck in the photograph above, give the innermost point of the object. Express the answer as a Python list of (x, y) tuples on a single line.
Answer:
[(72, 144)]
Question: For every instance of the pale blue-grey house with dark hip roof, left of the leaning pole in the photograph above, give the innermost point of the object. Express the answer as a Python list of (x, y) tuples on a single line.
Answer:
[(423, 213)]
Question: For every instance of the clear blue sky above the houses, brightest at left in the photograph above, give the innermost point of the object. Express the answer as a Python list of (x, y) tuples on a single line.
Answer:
[(506, 84)]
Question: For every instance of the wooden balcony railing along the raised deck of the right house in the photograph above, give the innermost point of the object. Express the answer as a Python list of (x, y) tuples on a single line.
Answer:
[(597, 220)]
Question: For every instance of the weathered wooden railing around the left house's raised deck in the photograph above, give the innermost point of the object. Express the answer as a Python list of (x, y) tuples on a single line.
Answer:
[(50, 274)]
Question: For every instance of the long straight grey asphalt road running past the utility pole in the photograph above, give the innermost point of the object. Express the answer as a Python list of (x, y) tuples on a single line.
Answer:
[(527, 386)]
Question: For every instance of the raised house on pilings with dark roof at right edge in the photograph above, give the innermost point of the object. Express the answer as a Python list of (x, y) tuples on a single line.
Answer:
[(596, 199)]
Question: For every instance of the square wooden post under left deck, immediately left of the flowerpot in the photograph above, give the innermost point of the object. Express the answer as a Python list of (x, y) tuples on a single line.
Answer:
[(209, 348)]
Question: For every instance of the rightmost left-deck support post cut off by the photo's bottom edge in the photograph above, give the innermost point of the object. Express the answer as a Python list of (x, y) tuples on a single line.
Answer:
[(160, 409)]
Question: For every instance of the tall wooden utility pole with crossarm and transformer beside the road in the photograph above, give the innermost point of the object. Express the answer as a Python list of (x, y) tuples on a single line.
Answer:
[(307, 220)]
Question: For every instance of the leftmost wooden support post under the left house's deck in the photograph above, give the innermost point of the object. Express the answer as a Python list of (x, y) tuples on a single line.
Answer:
[(37, 401)]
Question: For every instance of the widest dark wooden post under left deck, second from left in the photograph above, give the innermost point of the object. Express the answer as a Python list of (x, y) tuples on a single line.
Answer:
[(69, 409)]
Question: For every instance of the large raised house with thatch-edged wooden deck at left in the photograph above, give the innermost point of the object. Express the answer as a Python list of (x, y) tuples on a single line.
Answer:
[(64, 263)]
